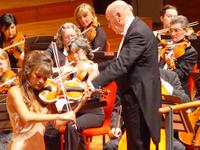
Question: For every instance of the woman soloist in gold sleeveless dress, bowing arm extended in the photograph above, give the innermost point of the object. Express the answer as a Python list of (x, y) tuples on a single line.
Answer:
[(27, 113)]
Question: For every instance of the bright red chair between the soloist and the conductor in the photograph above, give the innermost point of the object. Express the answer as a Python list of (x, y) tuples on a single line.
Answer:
[(105, 128)]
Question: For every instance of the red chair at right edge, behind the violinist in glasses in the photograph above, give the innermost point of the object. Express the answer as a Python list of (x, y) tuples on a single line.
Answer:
[(191, 82)]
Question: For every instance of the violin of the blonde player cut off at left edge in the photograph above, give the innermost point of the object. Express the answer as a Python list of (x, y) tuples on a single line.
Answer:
[(7, 80)]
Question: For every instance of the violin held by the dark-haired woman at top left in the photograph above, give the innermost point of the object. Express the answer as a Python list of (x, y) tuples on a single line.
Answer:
[(15, 47)]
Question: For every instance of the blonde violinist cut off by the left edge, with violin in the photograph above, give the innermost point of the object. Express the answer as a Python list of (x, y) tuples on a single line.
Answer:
[(7, 76)]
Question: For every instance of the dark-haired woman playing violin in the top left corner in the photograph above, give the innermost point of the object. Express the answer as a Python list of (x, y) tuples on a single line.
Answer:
[(12, 41)]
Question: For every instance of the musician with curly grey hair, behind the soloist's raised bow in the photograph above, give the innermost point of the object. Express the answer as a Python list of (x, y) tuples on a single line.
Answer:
[(65, 33)]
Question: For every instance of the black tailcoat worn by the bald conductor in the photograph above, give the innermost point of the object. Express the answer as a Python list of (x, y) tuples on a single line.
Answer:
[(137, 69)]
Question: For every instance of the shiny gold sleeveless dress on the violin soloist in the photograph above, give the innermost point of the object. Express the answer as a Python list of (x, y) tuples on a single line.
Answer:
[(26, 136)]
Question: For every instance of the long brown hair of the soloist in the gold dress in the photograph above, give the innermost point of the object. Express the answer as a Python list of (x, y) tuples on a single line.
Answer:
[(34, 61)]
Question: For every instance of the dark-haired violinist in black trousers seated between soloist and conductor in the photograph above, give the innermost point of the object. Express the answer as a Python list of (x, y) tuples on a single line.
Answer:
[(80, 53)]
